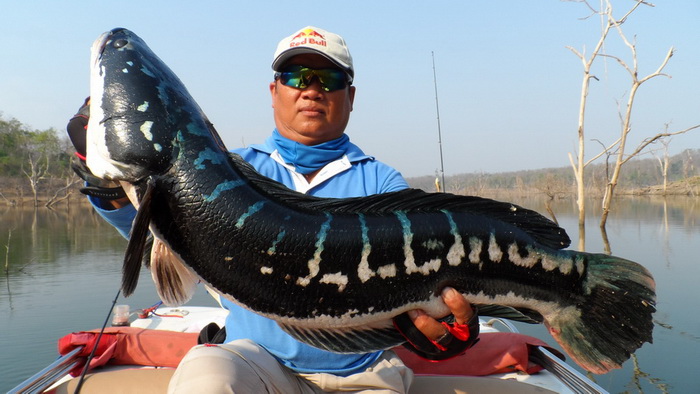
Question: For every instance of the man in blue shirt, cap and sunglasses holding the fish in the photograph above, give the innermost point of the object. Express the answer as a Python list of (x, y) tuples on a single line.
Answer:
[(312, 97)]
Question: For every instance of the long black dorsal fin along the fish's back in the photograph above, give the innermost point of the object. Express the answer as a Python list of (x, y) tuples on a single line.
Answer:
[(543, 230)]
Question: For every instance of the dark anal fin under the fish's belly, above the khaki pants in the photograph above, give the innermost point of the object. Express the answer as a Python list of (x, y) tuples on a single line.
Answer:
[(347, 340)]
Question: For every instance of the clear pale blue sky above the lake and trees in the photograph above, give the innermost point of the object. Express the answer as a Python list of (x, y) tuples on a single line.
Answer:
[(508, 88)]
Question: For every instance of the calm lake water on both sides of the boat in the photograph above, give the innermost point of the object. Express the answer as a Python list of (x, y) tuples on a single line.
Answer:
[(62, 269)]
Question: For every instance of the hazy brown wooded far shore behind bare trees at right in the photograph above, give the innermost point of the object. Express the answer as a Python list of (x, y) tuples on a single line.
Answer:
[(637, 176)]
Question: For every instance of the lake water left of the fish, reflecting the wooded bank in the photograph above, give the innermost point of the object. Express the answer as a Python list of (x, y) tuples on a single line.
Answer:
[(61, 272)]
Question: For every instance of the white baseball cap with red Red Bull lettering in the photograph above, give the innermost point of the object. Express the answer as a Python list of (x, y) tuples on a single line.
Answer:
[(318, 41)]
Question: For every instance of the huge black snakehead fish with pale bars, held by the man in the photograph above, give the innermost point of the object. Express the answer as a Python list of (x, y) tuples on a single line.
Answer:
[(334, 272)]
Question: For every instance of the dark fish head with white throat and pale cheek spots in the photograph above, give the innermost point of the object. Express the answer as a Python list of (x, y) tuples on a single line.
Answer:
[(138, 106)]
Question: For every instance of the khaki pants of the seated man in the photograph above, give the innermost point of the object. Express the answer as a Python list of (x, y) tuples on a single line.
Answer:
[(244, 367)]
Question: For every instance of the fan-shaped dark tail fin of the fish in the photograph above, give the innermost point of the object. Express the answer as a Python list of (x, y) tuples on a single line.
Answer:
[(614, 318)]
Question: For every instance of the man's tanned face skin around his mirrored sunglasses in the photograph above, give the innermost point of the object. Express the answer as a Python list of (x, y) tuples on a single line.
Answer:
[(311, 115)]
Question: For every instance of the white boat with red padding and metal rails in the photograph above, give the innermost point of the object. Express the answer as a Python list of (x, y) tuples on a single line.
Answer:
[(528, 365)]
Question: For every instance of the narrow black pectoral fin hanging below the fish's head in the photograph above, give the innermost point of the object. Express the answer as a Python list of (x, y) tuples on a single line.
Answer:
[(137, 241)]
